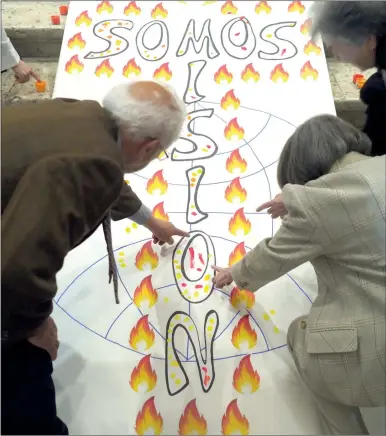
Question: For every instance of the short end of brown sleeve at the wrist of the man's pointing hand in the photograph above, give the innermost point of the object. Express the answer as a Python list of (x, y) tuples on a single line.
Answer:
[(130, 206)]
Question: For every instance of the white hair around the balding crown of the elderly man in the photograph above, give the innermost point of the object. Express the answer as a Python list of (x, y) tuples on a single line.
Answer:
[(153, 118)]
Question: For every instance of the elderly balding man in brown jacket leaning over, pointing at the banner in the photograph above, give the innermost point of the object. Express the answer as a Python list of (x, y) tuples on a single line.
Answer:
[(62, 165)]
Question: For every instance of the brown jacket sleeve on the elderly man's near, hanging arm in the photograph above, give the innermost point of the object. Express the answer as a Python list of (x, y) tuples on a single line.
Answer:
[(56, 203)]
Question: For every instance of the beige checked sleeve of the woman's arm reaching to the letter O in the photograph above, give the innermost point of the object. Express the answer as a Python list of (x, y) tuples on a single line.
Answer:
[(296, 242)]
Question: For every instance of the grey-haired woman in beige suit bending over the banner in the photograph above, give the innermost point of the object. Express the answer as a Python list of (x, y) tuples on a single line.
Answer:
[(335, 197)]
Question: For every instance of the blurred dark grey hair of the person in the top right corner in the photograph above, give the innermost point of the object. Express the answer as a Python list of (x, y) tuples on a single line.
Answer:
[(353, 22)]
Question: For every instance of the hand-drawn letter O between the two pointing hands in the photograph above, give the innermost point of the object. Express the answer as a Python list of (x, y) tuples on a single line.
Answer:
[(210, 250)]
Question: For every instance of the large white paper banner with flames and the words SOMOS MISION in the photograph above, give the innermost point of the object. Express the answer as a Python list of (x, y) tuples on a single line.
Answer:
[(193, 359)]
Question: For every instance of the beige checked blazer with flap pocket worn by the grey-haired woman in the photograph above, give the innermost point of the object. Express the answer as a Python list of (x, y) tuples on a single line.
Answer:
[(336, 222)]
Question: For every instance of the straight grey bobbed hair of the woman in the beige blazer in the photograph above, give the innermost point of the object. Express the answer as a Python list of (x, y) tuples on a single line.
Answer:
[(315, 146)]
